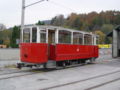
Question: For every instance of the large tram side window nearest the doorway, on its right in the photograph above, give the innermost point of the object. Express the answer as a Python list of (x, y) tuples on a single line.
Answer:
[(64, 36)]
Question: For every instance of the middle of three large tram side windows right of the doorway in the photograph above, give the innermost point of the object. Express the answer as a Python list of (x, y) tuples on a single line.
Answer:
[(77, 38)]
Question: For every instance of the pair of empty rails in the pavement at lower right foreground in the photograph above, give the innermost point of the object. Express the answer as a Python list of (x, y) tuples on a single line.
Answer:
[(91, 78)]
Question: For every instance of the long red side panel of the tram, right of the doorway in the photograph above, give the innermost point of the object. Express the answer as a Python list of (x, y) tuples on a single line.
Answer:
[(70, 52)]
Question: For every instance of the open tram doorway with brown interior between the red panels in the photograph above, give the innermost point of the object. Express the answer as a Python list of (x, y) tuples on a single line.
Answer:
[(51, 39)]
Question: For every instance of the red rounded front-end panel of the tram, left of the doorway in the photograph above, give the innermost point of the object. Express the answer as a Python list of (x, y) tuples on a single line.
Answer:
[(34, 53)]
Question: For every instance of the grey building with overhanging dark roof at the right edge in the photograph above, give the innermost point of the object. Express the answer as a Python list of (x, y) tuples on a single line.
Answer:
[(115, 34)]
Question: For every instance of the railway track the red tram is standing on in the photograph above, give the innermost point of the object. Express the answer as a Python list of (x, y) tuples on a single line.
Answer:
[(15, 74)]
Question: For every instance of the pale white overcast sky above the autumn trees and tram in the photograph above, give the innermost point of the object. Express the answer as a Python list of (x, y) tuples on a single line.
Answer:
[(10, 10)]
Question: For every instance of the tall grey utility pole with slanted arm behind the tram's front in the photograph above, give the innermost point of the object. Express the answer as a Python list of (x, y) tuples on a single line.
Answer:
[(23, 15)]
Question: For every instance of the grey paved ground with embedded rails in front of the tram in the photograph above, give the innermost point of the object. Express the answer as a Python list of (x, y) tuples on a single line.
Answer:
[(104, 75)]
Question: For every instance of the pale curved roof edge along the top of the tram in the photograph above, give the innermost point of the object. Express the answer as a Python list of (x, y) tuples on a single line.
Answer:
[(59, 28)]
